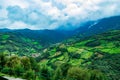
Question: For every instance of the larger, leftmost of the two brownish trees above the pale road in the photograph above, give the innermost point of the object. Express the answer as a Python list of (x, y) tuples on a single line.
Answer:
[(13, 66)]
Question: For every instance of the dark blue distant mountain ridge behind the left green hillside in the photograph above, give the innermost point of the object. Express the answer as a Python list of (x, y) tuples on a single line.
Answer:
[(45, 37)]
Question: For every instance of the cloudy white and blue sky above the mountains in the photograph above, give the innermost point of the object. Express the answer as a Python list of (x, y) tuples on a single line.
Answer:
[(51, 14)]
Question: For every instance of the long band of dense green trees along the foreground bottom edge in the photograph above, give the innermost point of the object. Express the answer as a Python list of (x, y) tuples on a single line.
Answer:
[(28, 68)]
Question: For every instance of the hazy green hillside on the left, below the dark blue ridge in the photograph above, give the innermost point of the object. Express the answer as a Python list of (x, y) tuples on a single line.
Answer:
[(11, 43)]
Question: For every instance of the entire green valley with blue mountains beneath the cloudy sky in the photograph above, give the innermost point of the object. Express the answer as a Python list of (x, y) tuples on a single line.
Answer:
[(91, 52)]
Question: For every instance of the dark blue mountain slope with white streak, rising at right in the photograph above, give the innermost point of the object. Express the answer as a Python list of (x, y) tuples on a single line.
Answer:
[(99, 26)]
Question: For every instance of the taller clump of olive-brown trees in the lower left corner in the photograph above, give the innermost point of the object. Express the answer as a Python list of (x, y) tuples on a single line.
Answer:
[(19, 66)]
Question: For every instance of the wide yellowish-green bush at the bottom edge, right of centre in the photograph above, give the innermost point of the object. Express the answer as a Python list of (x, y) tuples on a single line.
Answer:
[(76, 73)]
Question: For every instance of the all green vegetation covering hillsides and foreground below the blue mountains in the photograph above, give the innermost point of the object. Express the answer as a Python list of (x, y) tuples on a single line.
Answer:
[(92, 58)]
